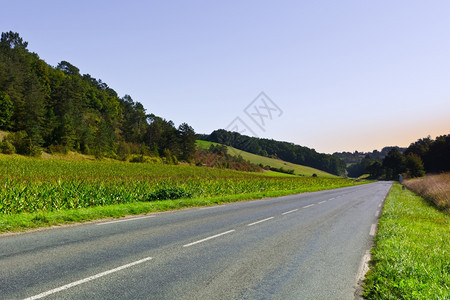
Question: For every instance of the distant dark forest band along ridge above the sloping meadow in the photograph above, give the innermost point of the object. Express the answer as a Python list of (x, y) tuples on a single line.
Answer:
[(283, 150)]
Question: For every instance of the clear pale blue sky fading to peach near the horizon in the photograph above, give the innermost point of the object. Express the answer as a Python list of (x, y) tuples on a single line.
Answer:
[(344, 75)]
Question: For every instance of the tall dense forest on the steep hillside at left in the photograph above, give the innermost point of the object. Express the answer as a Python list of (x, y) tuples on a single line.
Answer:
[(57, 109)]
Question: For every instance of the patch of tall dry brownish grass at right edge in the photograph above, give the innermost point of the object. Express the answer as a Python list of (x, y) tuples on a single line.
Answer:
[(435, 188)]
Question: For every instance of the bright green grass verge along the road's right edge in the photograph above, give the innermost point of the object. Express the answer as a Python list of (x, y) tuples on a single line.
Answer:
[(411, 257)]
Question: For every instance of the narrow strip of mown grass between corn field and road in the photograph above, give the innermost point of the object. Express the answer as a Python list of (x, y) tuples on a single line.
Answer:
[(24, 221)]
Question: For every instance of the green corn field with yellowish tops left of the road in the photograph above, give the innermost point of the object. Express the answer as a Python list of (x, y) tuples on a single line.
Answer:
[(31, 185)]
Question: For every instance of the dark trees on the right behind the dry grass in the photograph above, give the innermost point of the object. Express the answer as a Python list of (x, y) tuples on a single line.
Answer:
[(423, 156)]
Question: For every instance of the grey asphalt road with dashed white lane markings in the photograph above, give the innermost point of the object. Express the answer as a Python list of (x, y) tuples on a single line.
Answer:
[(307, 246)]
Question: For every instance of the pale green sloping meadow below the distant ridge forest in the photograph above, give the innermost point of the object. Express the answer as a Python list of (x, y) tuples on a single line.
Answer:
[(276, 163)]
